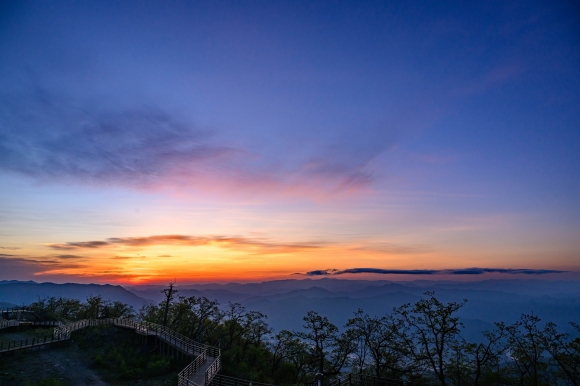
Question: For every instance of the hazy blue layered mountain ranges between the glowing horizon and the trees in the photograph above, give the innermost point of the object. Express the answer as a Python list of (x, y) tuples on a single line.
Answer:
[(287, 301)]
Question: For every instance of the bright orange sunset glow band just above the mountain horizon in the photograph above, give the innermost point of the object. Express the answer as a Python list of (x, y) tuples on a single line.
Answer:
[(165, 258)]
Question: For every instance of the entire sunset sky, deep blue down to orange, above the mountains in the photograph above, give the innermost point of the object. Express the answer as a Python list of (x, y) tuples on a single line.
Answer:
[(148, 142)]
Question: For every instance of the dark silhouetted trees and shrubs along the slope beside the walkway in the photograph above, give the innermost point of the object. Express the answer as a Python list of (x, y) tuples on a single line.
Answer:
[(417, 343)]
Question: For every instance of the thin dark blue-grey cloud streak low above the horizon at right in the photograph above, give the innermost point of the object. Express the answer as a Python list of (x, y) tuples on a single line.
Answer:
[(465, 271)]
